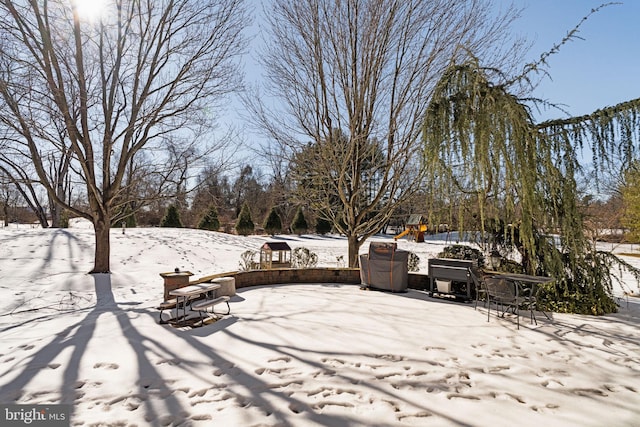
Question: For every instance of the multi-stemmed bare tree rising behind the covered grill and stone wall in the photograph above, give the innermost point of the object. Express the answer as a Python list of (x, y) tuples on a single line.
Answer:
[(364, 69)]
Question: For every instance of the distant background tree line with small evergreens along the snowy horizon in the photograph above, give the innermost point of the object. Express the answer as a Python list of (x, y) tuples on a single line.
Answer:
[(613, 216)]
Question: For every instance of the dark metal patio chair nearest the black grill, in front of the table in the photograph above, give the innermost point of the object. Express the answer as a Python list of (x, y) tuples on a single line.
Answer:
[(508, 295)]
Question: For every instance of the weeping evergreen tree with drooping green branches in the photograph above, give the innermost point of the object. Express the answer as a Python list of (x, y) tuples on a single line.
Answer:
[(482, 143)]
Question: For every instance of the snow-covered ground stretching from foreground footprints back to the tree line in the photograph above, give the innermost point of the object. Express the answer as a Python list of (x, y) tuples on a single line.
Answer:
[(291, 355)]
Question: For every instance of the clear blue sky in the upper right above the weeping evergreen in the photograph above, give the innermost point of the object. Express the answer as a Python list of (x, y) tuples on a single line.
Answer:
[(600, 70)]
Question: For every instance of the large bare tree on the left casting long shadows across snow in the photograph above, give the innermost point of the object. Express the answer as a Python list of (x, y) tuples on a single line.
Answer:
[(144, 74)]
